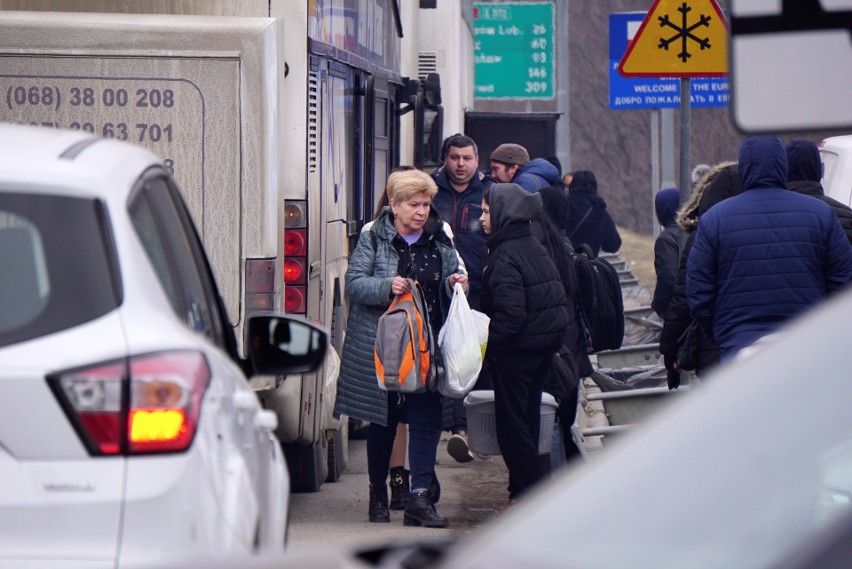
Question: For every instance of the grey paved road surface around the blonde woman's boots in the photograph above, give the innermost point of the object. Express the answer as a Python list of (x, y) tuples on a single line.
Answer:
[(337, 514)]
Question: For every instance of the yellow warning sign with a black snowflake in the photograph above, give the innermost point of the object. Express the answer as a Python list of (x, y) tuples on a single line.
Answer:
[(679, 38)]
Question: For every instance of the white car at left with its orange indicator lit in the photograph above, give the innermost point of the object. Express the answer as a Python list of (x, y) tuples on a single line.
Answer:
[(129, 435)]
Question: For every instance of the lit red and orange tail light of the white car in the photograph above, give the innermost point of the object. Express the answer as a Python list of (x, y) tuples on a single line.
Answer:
[(147, 404)]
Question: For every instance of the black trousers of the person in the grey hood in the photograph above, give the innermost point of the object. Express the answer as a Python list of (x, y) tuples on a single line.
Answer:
[(518, 381)]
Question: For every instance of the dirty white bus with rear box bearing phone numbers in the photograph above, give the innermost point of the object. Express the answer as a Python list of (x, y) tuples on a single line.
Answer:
[(280, 120)]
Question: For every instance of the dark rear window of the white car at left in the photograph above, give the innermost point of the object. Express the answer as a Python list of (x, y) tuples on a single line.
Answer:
[(57, 265)]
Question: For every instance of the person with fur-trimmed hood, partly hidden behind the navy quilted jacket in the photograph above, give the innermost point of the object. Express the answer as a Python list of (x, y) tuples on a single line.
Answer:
[(721, 182)]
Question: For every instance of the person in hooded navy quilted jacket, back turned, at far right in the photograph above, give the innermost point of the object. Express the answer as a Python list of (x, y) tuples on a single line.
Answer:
[(764, 256)]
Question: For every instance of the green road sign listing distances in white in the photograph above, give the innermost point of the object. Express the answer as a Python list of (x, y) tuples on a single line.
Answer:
[(513, 46)]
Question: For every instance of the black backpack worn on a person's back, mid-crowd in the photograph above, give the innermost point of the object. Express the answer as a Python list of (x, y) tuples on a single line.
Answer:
[(600, 306)]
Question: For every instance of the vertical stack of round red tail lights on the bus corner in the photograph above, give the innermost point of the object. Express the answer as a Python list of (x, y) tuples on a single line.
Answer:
[(295, 248)]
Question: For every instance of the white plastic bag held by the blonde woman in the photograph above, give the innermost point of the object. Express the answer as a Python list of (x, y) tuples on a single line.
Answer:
[(461, 340)]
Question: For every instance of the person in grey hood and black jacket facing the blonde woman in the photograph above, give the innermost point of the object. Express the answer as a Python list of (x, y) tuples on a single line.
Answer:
[(523, 295)]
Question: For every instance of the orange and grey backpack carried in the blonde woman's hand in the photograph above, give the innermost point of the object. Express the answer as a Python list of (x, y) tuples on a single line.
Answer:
[(406, 352)]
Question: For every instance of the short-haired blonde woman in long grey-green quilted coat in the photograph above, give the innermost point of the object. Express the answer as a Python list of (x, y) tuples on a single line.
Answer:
[(405, 241)]
